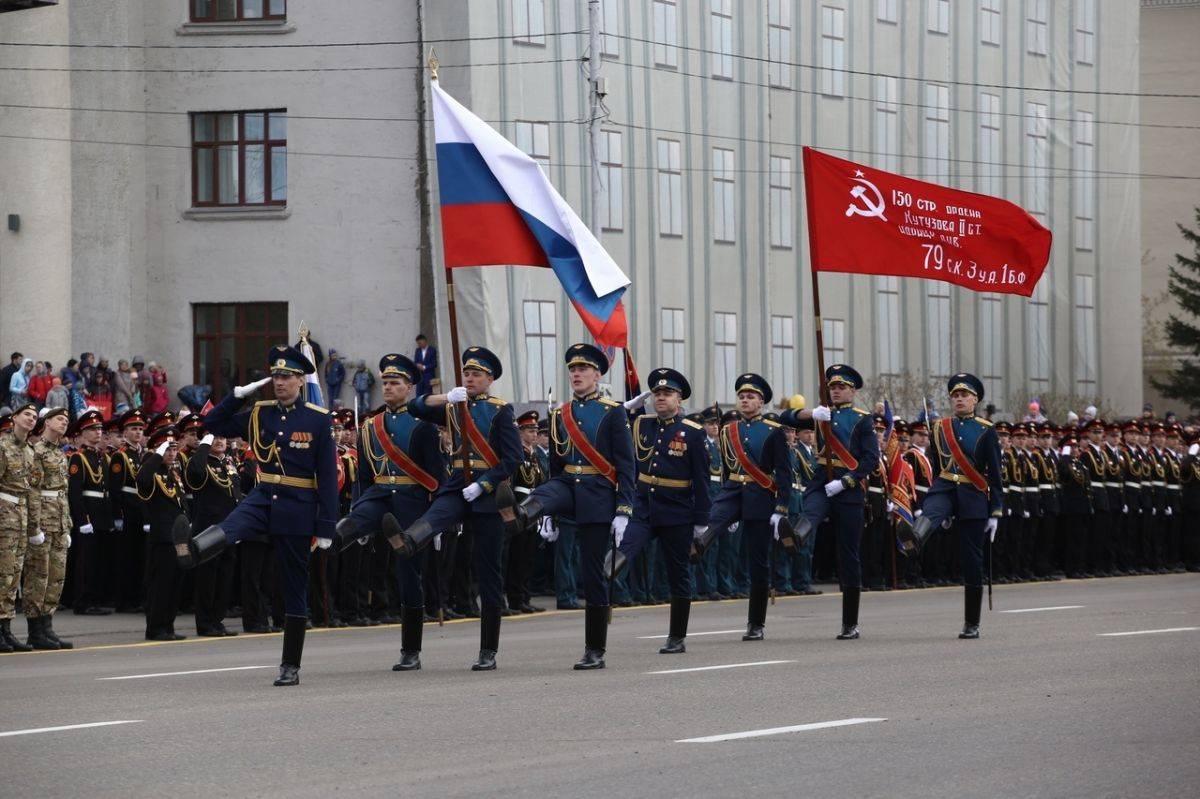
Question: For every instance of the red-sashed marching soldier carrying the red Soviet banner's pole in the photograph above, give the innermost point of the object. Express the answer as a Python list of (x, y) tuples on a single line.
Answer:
[(849, 453)]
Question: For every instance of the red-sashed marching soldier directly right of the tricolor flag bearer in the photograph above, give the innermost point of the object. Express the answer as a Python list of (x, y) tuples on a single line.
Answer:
[(592, 473)]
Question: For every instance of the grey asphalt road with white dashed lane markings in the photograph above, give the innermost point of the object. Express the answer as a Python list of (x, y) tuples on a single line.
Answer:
[(1045, 705)]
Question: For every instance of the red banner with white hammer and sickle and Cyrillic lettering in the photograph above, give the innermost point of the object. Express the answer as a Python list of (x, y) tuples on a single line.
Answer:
[(868, 221)]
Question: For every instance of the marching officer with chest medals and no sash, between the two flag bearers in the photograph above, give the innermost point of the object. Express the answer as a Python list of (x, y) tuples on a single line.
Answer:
[(673, 501)]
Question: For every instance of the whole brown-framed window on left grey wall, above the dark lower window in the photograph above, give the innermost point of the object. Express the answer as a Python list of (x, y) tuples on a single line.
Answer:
[(241, 159)]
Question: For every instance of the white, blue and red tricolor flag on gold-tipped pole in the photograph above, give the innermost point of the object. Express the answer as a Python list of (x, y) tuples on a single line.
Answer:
[(499, 208)]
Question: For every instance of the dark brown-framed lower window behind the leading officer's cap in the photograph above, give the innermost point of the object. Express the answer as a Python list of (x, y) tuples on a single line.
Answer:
[(231, 339)]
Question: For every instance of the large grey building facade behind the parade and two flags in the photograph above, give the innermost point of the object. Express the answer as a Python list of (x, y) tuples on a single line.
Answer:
[(707, 104)]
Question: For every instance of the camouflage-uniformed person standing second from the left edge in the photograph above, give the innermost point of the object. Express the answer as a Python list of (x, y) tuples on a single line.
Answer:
[(46, 563)]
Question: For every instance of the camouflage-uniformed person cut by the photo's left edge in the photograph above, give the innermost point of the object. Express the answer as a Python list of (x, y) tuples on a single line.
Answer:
[(19, 492)]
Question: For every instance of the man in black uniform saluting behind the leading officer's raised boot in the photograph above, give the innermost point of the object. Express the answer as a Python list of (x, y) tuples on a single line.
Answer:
[(212, 477)]
